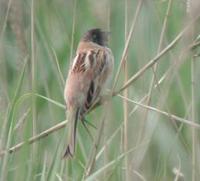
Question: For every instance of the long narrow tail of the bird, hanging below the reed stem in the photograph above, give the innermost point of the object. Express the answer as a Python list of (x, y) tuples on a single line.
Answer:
[(72, 117)]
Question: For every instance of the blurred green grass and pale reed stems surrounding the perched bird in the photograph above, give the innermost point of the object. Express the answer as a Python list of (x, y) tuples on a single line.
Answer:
[(149, 131)]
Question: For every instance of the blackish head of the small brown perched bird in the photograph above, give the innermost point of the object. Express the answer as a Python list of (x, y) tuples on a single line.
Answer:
[(97, 36)]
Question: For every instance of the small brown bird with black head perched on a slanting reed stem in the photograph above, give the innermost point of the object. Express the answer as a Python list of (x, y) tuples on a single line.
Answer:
[(90, 70)]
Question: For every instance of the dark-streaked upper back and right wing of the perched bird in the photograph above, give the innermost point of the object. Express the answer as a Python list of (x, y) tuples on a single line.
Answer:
[(93, 66)]
